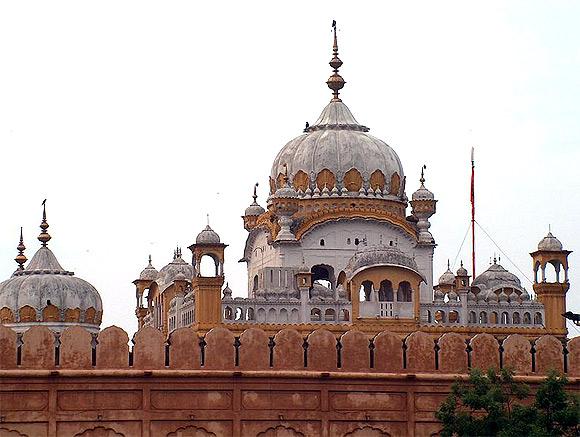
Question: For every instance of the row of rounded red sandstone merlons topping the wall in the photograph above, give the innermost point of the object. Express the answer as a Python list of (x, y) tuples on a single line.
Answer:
[(254, 350)]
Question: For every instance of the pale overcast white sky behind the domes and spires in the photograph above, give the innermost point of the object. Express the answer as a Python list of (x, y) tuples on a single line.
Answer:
[(136, 119)]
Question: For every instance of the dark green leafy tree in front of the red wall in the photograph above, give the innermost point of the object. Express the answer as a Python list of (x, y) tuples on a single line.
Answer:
[(491, 404)]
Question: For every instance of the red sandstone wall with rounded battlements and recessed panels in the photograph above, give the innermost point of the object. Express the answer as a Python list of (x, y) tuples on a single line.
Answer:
[(286, 385)]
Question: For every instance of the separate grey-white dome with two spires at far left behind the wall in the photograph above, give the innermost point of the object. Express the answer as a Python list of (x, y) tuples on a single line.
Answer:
[(45, 293)]
